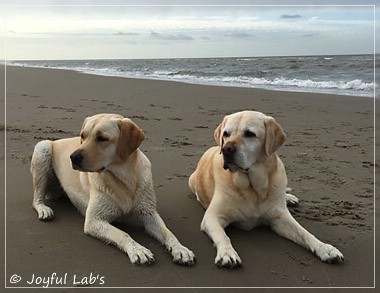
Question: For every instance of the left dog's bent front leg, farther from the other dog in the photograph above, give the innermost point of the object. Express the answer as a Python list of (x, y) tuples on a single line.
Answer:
[(101, 229)]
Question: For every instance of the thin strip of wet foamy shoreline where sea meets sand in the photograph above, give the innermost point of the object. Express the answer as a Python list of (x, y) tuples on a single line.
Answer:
[(194, 82)]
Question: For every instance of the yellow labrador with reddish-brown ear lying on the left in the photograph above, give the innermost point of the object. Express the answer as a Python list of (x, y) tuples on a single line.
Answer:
[(105, 175)]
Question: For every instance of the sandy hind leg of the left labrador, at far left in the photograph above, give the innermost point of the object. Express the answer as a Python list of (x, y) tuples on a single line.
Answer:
[(42, 171)]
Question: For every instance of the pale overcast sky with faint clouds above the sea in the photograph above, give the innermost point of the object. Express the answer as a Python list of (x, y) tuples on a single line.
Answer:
[(89, 32)]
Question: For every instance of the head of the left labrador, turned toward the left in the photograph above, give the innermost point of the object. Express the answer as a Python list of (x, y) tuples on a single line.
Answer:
[(105, 139)]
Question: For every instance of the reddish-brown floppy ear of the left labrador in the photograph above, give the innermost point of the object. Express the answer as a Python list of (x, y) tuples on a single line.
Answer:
[(131, 136)]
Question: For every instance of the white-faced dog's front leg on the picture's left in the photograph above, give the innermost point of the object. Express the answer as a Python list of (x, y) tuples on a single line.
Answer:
[(214, 226)]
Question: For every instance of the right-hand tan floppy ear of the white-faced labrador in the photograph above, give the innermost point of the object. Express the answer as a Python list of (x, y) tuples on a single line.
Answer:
[(274, 135)]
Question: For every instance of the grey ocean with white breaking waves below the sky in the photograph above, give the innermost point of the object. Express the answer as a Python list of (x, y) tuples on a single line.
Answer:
[(341, 74)]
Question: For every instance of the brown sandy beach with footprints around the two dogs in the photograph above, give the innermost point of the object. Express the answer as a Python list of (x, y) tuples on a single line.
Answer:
[(328, 156)]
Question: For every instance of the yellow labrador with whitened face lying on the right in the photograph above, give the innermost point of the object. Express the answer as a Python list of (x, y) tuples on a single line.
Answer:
[(243, 181)]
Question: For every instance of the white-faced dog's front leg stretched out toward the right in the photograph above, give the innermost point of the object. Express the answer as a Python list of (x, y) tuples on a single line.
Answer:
[(286, 226)]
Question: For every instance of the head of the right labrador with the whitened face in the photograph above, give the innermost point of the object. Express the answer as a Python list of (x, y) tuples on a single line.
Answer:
[(246, 138)]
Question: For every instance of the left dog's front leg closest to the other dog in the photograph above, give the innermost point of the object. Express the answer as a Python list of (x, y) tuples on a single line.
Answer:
[(156, 227)]
